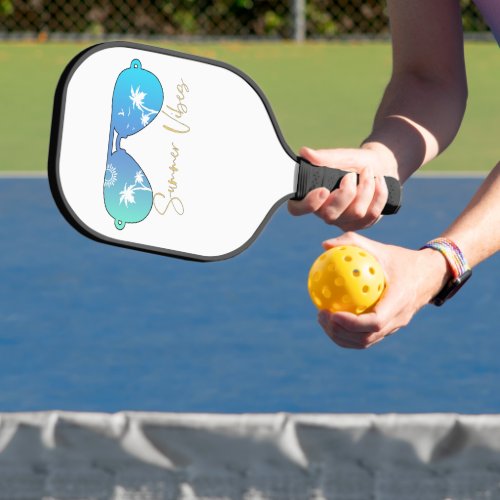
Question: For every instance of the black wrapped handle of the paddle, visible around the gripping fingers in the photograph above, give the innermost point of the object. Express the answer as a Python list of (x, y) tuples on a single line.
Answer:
[(311, 177)]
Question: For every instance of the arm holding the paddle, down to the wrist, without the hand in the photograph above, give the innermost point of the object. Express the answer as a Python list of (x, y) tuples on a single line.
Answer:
[(424, 103)]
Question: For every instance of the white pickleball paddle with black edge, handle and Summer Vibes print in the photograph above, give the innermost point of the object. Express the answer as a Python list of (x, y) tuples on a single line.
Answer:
[(171, 153)]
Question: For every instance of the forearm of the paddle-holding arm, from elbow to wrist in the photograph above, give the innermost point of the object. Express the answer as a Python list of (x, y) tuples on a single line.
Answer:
[(416, 120)]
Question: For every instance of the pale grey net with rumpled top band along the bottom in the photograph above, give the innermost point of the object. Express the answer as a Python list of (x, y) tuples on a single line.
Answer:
[(160, 456)]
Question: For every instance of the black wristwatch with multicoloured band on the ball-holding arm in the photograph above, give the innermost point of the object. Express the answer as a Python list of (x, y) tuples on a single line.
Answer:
[(460, 270)]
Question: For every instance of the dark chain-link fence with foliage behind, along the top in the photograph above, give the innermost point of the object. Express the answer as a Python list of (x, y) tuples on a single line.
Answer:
[(207, 18)]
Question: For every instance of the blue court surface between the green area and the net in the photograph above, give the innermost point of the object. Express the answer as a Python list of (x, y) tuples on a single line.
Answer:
[(90, 327)]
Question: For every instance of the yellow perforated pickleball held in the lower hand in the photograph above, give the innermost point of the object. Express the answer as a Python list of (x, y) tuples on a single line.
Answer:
[(346, 278)]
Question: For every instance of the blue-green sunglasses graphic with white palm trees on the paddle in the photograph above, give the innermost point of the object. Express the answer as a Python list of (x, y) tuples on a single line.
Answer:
[(137, 100)]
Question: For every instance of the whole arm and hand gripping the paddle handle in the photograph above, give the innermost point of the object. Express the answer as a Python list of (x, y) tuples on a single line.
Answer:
[(418, 117)]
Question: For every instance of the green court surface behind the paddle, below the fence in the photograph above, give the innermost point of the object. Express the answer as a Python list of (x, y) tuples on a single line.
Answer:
[(323, 94)]
